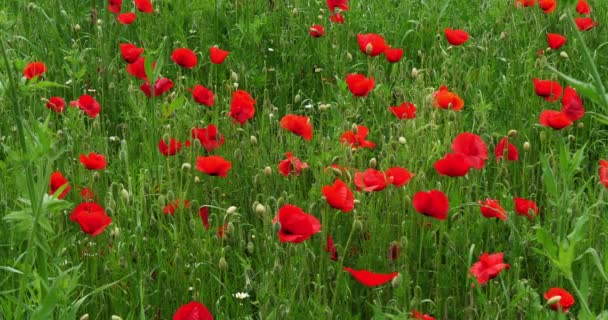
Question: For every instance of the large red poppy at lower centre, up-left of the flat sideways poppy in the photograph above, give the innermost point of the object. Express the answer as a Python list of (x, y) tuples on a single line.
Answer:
[(296, 225)]
